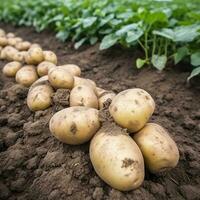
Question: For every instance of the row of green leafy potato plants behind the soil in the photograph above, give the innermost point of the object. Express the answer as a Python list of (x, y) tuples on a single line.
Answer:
[(163, 29)]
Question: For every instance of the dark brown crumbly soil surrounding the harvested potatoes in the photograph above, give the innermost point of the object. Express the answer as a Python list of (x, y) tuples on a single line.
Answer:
[(35, 165)]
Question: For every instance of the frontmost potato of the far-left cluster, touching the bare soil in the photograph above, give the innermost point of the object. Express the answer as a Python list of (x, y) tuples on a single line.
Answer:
[(26, 75)]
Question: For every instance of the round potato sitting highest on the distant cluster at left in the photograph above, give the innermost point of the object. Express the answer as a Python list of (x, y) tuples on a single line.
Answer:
[(34, 56)]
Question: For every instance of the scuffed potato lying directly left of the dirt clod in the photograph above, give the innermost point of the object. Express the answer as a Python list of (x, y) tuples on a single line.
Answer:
[(39, 97)]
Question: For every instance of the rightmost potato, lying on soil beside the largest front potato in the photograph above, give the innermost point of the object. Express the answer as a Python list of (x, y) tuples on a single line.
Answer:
[(158, 148)]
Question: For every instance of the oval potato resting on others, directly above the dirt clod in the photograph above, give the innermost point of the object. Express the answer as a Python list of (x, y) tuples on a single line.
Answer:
[(60, 78)]
